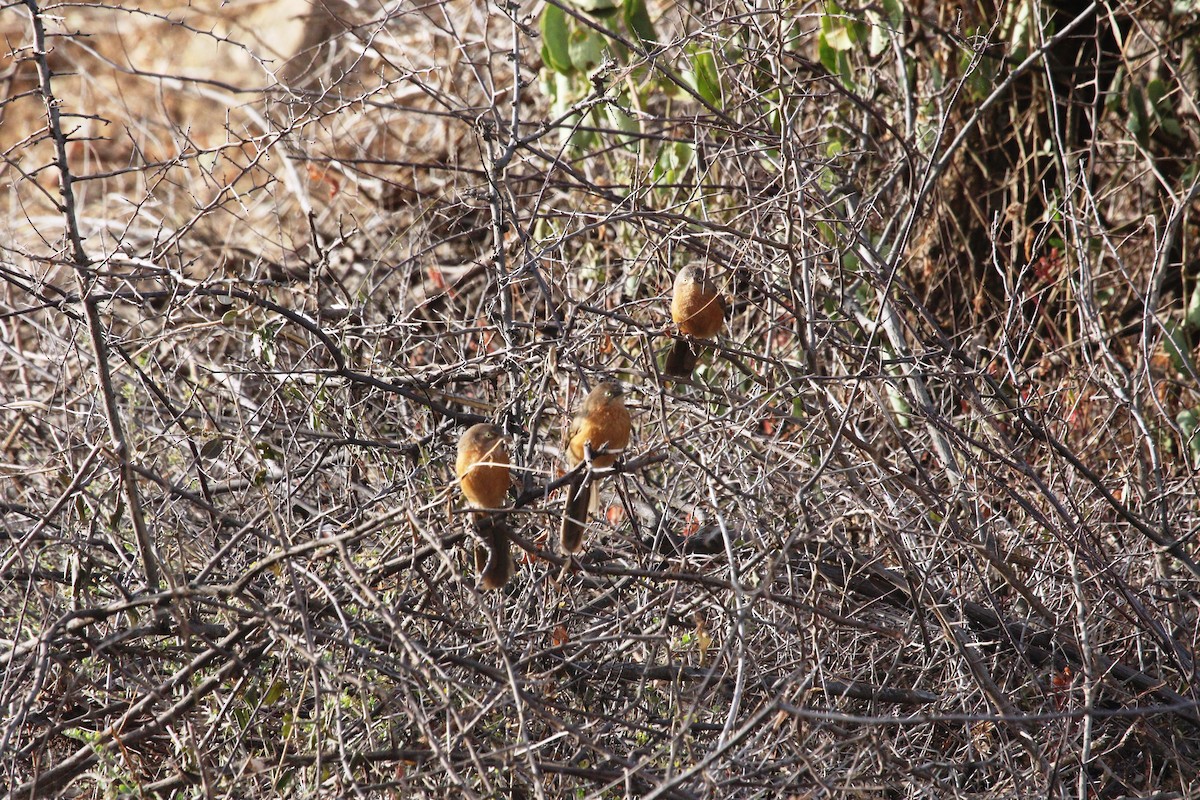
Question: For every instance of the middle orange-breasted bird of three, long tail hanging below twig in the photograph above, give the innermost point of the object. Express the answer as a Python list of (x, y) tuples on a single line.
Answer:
[(603, 428)]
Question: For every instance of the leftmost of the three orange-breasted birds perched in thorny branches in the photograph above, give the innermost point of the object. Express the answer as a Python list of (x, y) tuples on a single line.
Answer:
[(483, 471)]
